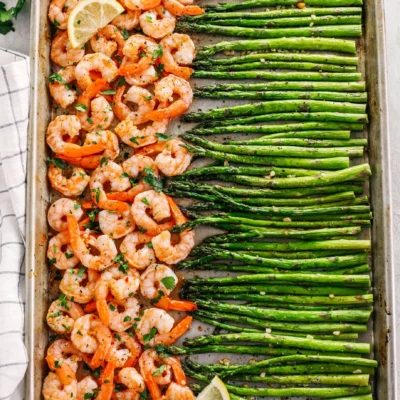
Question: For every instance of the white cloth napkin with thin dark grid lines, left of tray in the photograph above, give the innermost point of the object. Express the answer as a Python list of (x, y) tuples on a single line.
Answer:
[(14, 99)]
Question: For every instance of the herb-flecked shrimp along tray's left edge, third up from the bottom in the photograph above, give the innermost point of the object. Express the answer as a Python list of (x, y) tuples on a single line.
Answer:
[(62, 315)]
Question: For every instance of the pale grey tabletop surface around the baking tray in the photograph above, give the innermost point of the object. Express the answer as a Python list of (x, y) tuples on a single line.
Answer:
[(19, 41)]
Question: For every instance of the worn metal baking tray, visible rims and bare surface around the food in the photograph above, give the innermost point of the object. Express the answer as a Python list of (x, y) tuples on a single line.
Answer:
[(372, 54)]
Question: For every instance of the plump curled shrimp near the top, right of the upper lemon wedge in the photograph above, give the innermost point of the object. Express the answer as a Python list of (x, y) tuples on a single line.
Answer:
[(157, 23)]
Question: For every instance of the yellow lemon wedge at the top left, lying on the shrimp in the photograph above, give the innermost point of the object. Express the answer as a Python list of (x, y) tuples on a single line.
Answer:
[(88, 17)]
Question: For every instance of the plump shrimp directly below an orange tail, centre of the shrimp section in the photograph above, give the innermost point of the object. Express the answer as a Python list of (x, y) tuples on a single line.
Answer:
[(116, 224)]
